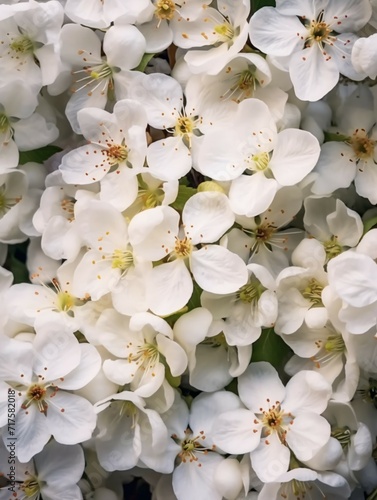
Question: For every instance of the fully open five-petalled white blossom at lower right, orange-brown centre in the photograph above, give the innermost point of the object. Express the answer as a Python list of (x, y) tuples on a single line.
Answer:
[(277, 419)]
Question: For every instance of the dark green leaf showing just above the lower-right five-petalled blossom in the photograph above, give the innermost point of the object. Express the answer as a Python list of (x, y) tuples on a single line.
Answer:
[(270, 347)]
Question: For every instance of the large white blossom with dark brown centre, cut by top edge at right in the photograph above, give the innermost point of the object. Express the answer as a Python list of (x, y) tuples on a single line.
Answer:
[(316, 39)]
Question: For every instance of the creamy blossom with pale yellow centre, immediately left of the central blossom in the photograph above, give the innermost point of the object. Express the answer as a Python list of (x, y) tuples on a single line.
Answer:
[(110, 263)]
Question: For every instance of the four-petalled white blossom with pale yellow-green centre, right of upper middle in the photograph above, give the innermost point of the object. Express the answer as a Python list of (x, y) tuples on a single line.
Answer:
[(254, 146)]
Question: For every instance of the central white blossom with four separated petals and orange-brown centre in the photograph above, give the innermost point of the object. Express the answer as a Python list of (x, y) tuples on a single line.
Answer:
[(205, 218)]
